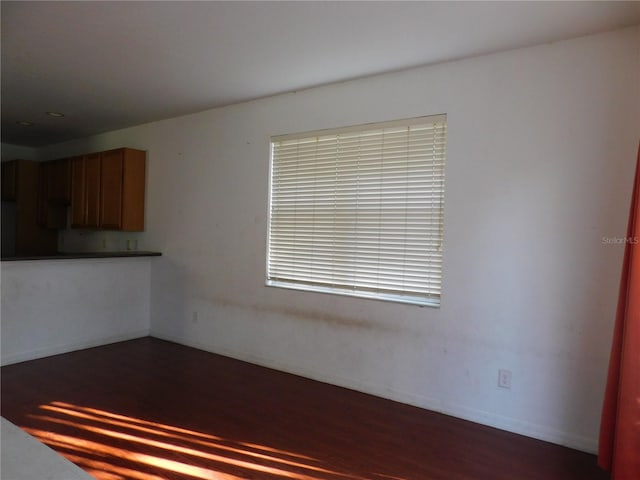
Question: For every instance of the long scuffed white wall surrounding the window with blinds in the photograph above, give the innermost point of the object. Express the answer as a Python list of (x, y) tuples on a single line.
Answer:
[(541, 147)]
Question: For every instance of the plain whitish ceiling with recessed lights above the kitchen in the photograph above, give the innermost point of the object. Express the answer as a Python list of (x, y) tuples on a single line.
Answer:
[(110, 65)]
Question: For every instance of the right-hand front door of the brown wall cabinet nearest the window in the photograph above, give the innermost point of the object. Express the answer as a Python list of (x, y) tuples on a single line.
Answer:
[(111, 193)]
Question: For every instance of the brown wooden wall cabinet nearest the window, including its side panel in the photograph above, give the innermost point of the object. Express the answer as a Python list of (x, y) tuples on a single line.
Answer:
[(108, 190)]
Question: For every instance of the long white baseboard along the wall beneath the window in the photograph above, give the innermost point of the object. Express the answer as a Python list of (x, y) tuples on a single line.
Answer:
[(509, 424)]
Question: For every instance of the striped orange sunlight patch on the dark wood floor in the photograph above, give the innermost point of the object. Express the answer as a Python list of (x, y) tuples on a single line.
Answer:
[(111, 446)]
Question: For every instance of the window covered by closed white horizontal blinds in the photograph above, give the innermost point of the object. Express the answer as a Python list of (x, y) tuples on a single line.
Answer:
[(359, 211)]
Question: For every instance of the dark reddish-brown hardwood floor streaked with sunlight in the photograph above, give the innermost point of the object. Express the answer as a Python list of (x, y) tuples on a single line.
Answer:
[(150, 409)]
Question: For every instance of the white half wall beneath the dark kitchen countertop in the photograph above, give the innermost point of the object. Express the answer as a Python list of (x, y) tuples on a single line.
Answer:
[(57, 306)]
